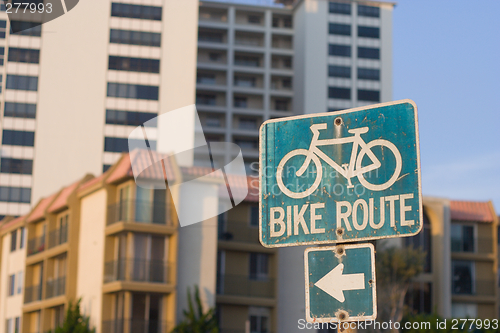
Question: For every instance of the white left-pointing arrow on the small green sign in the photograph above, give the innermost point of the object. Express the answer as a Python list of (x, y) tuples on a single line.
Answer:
[(334, 283)]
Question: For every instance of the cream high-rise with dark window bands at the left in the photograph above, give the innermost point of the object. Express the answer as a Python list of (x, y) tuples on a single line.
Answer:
[(74, 88)]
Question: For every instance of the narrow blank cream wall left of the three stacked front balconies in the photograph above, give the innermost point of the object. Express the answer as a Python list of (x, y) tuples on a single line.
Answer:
[(91, 255)]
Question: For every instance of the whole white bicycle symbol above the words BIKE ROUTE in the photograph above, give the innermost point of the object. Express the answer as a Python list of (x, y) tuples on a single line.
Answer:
[(348, 170)]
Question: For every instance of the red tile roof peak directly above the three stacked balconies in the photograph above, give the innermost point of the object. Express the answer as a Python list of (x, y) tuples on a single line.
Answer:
[(147, 163)]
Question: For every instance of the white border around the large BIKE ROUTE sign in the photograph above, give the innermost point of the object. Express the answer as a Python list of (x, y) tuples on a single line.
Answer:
[(314, 115)]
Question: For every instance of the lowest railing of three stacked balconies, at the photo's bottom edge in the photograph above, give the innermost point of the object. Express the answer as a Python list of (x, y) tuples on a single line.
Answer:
[(136, 326)]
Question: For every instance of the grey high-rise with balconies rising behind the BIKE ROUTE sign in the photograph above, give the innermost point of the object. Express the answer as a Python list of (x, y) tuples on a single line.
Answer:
[(260, 62)]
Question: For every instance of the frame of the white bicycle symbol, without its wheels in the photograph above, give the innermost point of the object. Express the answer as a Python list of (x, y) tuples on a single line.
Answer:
[(347, 170)]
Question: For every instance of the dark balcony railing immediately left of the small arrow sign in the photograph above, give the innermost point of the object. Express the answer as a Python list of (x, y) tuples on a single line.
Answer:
[(242, 285)]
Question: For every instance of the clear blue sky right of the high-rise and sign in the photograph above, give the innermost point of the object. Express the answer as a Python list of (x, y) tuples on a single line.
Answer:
[(447, 59)]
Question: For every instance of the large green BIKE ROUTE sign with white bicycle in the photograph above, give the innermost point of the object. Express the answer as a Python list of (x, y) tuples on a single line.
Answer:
[(338, 177)]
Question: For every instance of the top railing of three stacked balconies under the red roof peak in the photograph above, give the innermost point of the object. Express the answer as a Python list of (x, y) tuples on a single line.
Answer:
[(140, 212)]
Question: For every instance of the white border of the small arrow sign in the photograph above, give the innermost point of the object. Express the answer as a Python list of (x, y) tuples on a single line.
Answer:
[(310, 319)]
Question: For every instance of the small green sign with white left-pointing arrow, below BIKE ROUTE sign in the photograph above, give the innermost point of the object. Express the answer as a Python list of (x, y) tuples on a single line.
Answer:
[(340, 283)]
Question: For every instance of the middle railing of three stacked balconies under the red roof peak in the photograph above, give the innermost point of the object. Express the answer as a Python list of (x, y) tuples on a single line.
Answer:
[(139, 270)]
